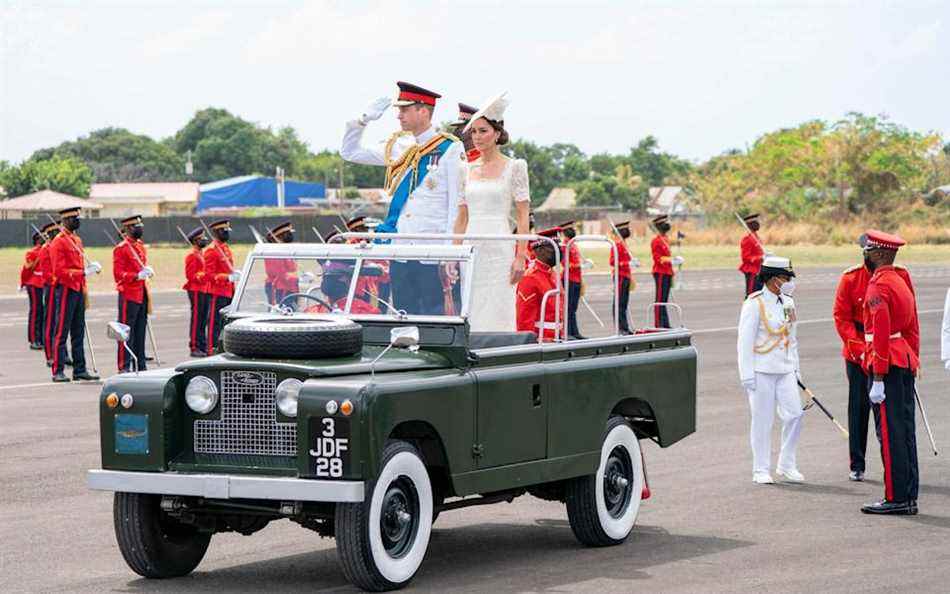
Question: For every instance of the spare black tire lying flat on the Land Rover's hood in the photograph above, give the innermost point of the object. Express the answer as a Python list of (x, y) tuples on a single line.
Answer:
[(276, 337)]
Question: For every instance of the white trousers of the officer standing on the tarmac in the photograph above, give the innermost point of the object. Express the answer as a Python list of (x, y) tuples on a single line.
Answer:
[(774, 391)]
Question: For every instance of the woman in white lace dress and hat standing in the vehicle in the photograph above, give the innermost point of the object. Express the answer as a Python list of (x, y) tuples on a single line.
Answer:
[(495, 185)]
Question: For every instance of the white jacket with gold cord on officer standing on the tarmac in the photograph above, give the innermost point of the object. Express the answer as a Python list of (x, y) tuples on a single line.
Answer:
[(769, 344)]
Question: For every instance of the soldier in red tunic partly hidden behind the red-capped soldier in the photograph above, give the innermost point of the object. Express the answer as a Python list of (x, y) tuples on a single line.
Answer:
[(849, 321)]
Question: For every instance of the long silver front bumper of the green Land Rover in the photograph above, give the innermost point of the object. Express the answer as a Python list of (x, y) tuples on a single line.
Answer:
[(225, 486)]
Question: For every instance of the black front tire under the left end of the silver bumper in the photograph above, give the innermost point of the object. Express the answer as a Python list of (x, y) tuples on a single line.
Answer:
[(153, 544)]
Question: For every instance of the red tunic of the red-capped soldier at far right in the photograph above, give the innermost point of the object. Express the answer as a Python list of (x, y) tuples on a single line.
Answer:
[(892, 332)]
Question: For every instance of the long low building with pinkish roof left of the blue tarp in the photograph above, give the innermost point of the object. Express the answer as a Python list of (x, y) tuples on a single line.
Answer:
[(147, 199)]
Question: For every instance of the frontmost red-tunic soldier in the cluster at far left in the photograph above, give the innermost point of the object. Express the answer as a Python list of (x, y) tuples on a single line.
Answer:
[(69, 297)]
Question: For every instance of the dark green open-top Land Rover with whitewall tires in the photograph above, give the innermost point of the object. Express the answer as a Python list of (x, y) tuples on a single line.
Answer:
[(331, 408)]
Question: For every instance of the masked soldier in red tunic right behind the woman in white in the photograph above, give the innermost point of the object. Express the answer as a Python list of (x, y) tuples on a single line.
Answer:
[(539, 279)]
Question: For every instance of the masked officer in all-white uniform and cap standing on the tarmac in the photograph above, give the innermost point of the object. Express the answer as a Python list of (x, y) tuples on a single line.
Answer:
[(769, 369)]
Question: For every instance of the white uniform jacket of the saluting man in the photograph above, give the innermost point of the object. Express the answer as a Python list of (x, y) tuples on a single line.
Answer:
[(433, 205)]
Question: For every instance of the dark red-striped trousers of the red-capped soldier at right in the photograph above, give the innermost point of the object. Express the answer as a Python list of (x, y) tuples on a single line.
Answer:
[(898, 436)]
